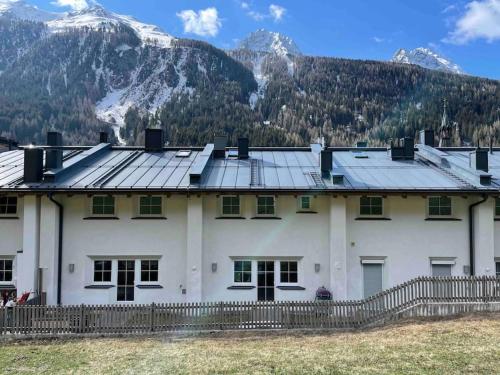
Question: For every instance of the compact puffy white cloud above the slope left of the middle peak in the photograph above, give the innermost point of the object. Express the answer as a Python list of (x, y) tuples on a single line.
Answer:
[(205, 22)]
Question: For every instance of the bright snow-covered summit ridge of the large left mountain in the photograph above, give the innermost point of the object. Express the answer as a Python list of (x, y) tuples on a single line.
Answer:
[(96, 17)]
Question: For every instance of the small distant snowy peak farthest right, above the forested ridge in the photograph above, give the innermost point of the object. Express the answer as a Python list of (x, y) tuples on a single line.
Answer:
[(426, 58)]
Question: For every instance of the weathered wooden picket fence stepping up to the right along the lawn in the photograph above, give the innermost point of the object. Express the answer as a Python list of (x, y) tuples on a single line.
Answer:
[(424, 296)]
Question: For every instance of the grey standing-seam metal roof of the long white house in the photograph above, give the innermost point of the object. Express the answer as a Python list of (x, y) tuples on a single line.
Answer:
[(266, 169)]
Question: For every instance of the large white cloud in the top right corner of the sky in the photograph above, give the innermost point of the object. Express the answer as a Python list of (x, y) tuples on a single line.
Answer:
[(481, 20)]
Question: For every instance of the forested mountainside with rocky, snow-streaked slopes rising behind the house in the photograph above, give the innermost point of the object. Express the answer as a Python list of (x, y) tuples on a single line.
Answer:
[(84, 71)]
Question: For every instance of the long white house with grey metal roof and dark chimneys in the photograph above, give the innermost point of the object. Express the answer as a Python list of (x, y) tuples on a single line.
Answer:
[(109, 224)]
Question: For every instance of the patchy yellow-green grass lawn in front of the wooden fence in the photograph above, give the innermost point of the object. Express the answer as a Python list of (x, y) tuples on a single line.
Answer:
[(469, 345)]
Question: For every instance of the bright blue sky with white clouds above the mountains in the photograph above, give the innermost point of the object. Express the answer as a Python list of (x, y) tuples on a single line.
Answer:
[(467, 32)]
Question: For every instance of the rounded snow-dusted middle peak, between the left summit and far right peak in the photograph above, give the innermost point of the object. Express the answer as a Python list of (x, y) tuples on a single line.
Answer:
[(271, 42)]
